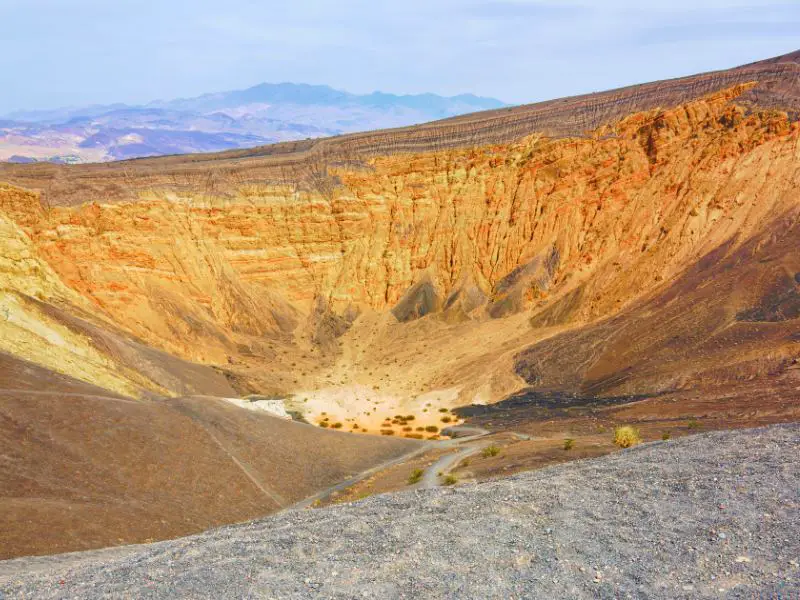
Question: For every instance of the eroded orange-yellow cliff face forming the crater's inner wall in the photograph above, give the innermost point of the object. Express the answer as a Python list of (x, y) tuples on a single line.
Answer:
[(529, 238)]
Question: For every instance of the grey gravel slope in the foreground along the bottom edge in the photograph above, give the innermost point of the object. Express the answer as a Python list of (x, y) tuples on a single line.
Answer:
[(715, 515)]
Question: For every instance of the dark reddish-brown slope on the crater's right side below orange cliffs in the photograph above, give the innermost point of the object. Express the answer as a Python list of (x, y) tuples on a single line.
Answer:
[(734, 315)]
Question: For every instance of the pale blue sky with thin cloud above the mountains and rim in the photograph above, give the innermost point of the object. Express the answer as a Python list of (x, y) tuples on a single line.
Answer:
[(73, 52)]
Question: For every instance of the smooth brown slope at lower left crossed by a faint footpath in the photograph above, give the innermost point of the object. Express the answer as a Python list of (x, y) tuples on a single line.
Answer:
[(84, 469)]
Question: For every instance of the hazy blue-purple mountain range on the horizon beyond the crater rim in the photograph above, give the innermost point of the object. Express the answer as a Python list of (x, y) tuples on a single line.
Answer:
[(262, 114)]
